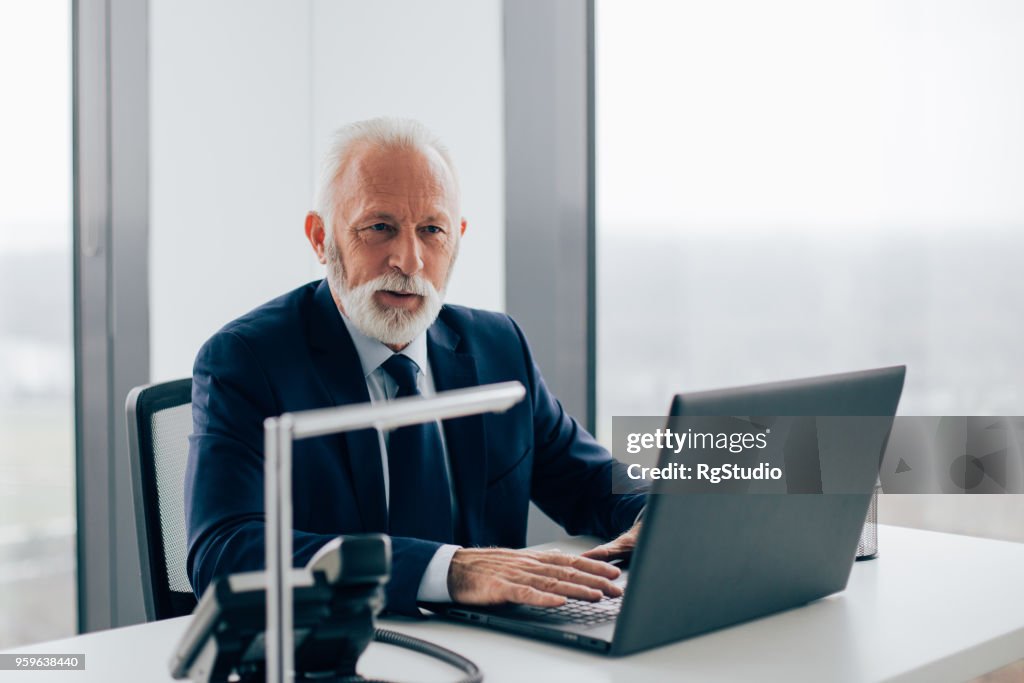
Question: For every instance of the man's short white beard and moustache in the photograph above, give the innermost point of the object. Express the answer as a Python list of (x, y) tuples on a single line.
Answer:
[(389, 325)]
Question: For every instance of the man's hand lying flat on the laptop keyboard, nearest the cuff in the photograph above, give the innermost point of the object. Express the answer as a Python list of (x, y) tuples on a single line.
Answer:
[(496, 576)]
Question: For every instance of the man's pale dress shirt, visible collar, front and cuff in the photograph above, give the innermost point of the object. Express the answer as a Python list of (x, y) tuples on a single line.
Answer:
[(382, 388)]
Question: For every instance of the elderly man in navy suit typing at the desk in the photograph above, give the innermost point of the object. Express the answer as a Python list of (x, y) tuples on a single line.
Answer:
[(454, 497)]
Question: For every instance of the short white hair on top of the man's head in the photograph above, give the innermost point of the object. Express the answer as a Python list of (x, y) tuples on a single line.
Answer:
[(386, 133)]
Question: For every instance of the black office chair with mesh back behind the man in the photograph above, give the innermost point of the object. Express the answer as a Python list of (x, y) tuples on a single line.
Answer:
[(159, 425)]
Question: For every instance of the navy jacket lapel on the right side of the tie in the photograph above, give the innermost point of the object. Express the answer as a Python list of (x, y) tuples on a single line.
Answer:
[(464, 438)]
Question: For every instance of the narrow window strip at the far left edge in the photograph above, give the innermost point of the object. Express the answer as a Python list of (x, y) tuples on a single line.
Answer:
[(37, 455)]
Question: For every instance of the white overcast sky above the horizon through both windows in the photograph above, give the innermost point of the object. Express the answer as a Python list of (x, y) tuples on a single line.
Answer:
[(738, 113)]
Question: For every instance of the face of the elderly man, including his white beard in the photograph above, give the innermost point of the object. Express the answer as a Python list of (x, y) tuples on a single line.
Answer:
[(394, 242)]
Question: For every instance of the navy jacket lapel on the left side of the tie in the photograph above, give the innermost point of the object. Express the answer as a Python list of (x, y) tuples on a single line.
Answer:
[(340, 372)]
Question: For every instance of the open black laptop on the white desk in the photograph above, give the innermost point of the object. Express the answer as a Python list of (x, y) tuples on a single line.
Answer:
[(705, 562)]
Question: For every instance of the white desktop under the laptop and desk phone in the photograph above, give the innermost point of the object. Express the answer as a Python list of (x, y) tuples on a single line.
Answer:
[(933, 608)]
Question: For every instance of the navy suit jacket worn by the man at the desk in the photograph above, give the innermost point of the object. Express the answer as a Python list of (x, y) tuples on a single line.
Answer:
[(294, 354)]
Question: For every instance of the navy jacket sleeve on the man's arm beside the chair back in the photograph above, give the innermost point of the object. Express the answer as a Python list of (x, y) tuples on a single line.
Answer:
[(224, 496)]
